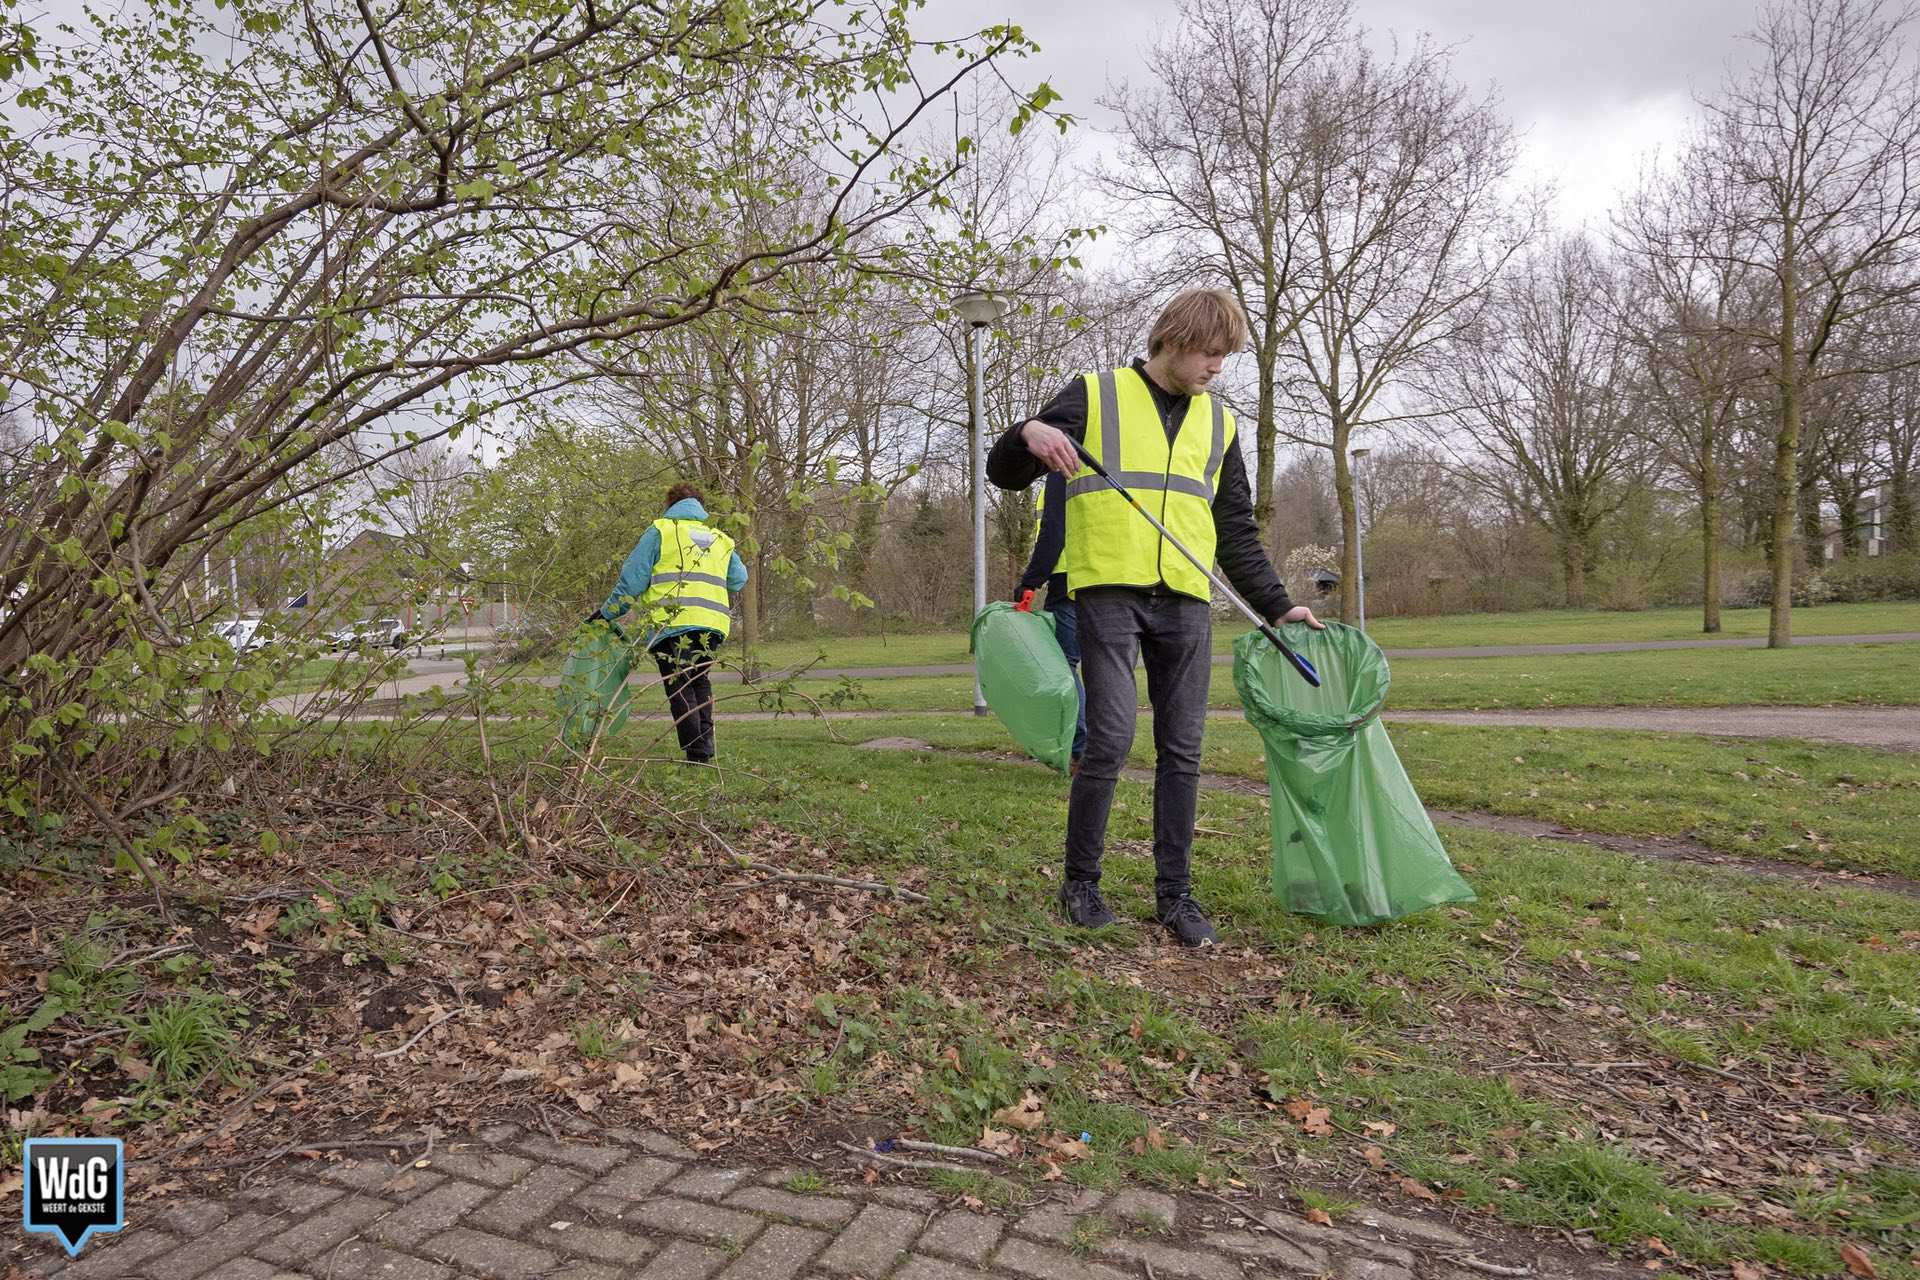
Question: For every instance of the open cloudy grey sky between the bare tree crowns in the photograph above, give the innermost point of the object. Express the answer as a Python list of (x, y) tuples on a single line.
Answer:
[(1593, 85)]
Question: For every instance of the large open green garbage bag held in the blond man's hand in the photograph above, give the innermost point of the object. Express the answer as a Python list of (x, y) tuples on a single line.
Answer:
[(1353, 841)]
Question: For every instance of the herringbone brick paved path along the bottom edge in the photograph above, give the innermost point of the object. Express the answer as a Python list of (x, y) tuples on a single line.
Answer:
[(517, 1206)]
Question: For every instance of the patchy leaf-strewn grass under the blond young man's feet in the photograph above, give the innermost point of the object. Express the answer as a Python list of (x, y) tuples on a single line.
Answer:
[(1464, 1047)]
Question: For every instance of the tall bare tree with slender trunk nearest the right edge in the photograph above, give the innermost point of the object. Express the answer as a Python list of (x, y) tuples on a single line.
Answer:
[(1819, 141)]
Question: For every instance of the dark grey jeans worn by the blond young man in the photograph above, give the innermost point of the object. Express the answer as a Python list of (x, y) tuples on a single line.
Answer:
[(1174, 634)]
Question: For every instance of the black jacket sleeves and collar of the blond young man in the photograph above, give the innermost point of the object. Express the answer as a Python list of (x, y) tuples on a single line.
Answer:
[(1237, 548)]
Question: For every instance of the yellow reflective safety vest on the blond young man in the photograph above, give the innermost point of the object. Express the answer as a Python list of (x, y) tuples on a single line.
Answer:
[(1109, 544)]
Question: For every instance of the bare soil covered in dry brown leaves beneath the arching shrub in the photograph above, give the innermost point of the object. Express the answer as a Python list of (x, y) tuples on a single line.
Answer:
[(684, 987)]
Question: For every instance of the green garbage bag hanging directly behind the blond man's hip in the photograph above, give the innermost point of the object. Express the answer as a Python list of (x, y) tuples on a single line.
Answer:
[(1026, 680)]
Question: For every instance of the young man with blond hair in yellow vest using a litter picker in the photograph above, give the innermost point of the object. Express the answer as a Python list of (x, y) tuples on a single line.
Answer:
[(1164, 437)]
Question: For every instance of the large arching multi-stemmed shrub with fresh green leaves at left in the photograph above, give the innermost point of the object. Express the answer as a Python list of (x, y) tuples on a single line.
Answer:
[(239, 237)]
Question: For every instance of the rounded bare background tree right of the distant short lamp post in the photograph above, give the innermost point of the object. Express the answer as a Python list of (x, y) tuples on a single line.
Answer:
[(1539, 400)]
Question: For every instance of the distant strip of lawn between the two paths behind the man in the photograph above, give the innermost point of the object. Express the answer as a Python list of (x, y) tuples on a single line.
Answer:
[(1858, 675)]
